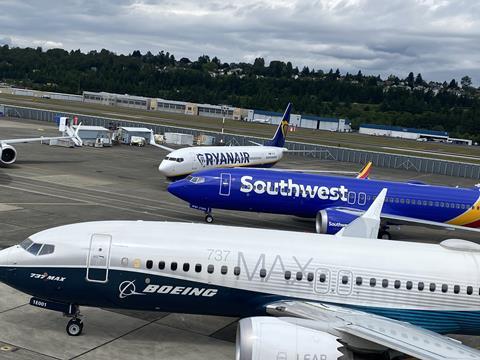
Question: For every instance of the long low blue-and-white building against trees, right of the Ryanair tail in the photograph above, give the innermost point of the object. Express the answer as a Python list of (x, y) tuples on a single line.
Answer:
[(404, 133)]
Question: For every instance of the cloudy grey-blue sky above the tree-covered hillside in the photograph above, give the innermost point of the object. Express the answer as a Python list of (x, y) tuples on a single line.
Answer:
[(438, 38)]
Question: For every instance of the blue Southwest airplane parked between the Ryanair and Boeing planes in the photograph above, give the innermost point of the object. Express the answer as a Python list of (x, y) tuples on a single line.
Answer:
[(334, 201)]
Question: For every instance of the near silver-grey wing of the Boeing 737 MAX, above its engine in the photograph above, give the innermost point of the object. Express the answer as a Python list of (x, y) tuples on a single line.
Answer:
[(401, 336)]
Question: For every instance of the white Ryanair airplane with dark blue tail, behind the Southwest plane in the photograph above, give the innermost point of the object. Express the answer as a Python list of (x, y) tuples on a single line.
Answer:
[(182, 162)]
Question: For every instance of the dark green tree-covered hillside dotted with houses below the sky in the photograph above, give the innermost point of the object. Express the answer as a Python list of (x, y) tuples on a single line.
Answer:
[(410, 102)]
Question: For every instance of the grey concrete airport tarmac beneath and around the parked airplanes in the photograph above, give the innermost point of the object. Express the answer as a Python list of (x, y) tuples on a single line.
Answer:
[(51, 186)]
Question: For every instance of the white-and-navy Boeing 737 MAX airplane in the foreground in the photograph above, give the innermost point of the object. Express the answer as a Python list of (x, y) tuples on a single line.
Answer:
[(327, 297)]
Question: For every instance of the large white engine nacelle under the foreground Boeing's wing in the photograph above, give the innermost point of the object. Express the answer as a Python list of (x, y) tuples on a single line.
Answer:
[(269, 338)]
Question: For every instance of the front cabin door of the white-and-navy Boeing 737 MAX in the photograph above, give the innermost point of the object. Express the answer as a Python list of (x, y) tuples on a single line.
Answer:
[(98, 261)]
